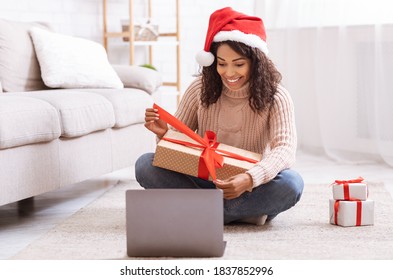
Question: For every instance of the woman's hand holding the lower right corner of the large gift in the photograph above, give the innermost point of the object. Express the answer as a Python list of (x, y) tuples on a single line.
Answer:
[(235, 185)]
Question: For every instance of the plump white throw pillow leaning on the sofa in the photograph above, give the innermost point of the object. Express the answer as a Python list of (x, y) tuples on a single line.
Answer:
[(71, 62)]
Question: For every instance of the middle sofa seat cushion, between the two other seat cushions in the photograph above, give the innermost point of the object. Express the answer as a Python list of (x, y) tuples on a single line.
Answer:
[(80, 112)]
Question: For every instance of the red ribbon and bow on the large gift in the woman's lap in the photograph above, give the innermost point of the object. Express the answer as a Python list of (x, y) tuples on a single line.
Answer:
[(211, 157)]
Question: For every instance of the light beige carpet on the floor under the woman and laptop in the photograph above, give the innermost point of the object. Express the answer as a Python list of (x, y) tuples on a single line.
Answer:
[(303, 232)]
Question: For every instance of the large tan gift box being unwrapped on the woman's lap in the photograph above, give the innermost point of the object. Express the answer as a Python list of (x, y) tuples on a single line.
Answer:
[(173, 153)]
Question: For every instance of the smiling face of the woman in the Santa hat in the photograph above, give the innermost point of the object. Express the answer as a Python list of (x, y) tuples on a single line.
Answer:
[(233, 68)]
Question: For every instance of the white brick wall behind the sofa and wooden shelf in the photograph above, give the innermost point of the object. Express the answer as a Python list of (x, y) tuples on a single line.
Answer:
[(83, 18)]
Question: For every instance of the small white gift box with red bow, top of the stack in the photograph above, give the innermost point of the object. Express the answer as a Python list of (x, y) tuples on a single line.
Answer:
[(350, 190)]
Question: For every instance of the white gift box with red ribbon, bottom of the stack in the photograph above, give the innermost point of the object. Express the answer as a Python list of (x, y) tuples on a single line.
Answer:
[(351, 213)]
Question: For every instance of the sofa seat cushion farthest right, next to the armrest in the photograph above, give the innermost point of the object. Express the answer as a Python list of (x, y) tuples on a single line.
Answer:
[(129, 104)]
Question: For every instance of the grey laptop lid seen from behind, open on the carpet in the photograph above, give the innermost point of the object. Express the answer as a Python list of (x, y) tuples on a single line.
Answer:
[(175, 223)]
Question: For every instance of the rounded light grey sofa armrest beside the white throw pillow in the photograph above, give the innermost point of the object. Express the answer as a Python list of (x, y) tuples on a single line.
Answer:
[(138, 77)]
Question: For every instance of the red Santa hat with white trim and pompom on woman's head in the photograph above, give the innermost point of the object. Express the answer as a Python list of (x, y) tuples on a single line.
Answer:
[(229, 25)]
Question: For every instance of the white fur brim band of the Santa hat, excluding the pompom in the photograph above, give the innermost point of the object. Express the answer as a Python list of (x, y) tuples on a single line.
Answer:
[(238, 36)]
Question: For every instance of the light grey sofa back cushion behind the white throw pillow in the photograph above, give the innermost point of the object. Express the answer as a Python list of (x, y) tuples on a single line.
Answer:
[(19, 68)]
